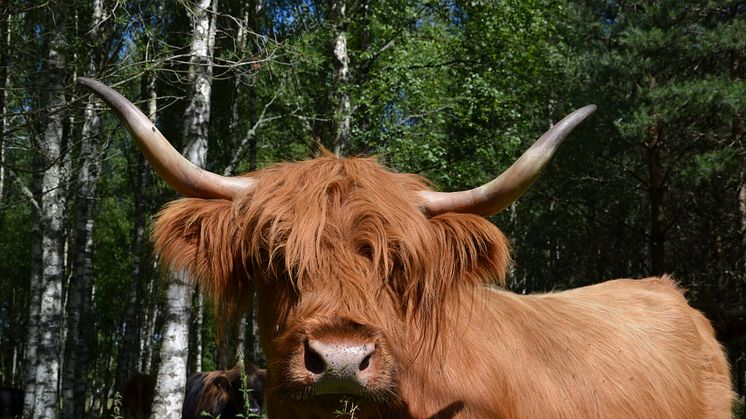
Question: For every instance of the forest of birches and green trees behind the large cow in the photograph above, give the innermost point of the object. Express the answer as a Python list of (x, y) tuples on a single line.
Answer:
[(654, 182)]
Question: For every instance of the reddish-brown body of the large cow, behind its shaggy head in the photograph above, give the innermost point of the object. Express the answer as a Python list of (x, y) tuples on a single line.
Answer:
[(624, 348)]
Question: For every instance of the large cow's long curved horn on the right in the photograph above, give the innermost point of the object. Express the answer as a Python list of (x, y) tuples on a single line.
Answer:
[(493, 197)]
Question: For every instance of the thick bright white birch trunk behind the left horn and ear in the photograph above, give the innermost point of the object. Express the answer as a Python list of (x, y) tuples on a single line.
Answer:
[(174, 350)]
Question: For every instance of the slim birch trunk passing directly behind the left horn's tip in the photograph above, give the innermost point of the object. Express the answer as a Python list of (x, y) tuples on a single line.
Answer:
[(75, 366)]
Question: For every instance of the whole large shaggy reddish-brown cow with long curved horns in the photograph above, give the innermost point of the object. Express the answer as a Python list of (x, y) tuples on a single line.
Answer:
[(376, 297)]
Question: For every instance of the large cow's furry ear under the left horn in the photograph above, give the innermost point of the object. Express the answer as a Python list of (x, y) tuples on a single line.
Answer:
[(200, 236)]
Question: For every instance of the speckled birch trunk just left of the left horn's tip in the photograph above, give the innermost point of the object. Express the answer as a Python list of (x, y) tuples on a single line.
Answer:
[(53, 204)]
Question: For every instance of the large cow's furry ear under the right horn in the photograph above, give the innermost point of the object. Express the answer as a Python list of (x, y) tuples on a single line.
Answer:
[(474, 250)]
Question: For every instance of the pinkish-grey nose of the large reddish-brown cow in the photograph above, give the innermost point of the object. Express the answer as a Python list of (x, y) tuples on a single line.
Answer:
[(340, 367)]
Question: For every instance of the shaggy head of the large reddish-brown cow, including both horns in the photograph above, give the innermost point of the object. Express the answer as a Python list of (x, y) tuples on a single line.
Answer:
[(354, 265)]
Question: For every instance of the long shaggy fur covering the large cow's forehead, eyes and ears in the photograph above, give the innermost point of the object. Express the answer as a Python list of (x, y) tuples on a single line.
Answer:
[(346, 219)]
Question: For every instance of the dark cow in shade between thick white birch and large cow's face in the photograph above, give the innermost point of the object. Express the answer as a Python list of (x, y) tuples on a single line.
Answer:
[(220, 394)]
